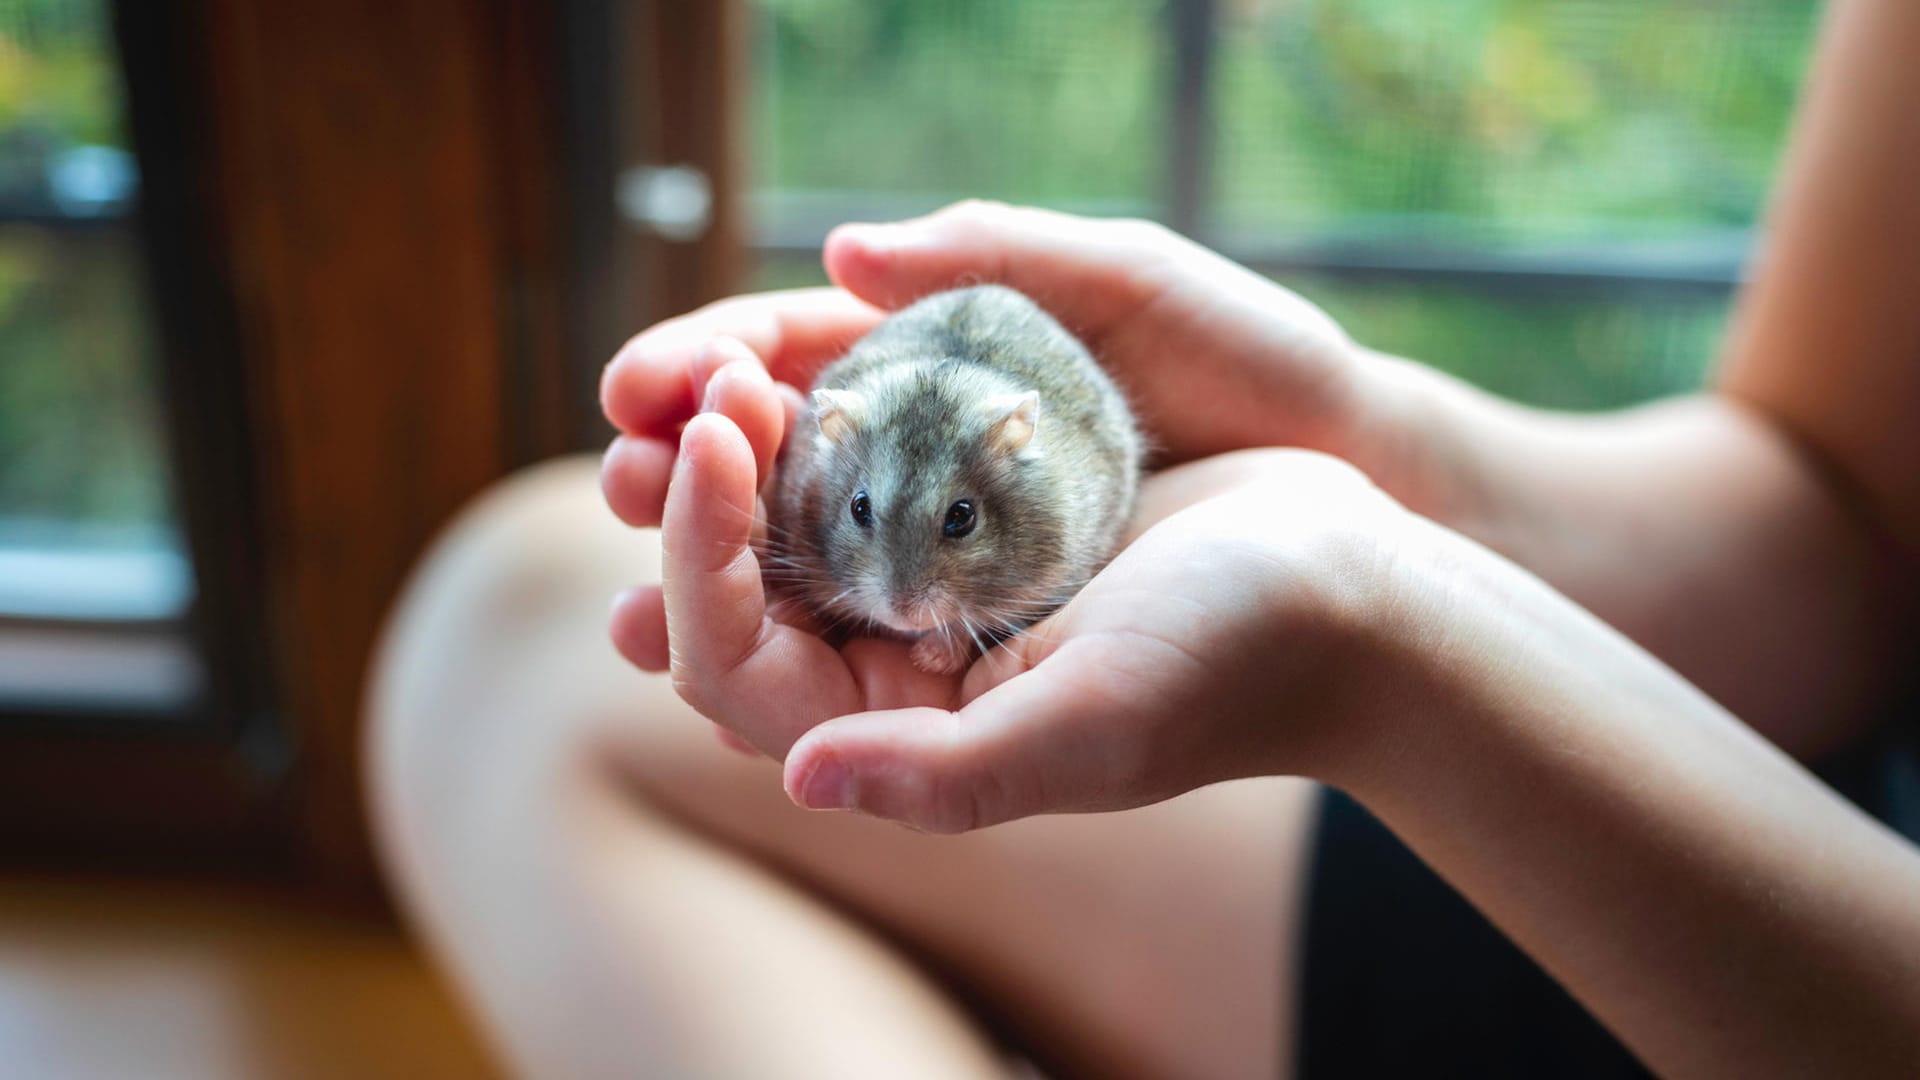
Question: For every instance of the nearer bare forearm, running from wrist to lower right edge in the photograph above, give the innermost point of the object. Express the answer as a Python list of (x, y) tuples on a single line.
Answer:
[(1714, 904)]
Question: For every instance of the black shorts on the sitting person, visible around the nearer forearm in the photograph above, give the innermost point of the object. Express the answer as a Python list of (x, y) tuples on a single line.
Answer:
[(1401, 977)]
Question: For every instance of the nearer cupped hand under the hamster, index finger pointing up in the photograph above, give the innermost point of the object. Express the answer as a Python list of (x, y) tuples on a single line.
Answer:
[(1224, 641)]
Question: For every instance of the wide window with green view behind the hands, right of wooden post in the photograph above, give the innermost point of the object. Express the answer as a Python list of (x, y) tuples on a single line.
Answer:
[(1552, 199)]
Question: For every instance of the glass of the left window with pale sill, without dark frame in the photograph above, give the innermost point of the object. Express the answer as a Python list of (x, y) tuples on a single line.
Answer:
[(95, 579)]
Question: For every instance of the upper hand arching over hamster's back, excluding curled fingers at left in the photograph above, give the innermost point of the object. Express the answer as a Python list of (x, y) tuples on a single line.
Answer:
[(1212, 355)]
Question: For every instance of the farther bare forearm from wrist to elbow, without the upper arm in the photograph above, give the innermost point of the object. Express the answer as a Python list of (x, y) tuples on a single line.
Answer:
[(1696, 529)]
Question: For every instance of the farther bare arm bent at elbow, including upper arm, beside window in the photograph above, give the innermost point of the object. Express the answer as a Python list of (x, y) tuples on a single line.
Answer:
[(1764, 541)]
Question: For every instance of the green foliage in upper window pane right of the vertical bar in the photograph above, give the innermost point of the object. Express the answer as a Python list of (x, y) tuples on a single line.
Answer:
[(1504, 120)]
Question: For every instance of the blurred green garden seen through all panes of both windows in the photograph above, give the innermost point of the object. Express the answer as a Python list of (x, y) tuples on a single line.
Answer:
[(1548, 132)]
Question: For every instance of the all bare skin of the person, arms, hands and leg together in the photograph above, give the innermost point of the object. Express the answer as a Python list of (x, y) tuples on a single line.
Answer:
[(1522, 639)]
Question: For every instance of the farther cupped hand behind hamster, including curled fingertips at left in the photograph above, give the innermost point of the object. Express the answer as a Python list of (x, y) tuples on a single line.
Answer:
[(1212, 356)]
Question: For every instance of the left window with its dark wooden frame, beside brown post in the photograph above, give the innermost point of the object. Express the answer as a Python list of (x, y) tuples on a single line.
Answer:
[(132, 679)]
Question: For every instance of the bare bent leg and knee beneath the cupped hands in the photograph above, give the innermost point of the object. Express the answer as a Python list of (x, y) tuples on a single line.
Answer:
[(623, 896)]
